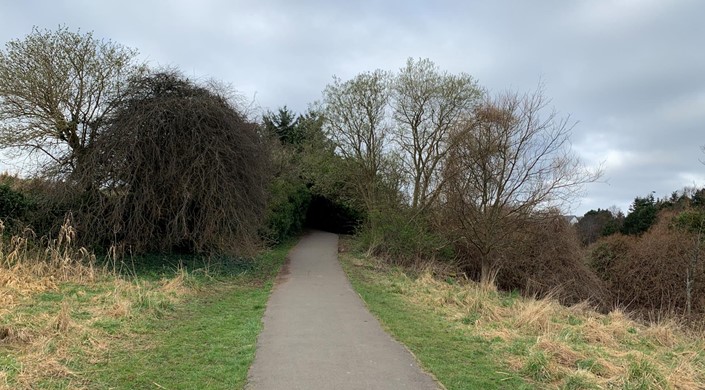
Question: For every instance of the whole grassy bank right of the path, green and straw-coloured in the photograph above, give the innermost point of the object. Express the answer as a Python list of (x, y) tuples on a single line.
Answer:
[(472, 336)]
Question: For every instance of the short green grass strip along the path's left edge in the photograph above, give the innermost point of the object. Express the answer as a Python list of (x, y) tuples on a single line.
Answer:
[(207, 343)]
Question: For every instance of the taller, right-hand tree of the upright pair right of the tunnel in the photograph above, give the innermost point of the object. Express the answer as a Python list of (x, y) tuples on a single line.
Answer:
[(428, 105)]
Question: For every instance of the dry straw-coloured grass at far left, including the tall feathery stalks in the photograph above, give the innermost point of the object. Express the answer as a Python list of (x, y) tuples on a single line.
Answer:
[(56, 305)]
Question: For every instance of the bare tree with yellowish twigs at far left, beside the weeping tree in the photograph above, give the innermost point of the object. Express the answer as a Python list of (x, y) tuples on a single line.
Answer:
[(56, 88)]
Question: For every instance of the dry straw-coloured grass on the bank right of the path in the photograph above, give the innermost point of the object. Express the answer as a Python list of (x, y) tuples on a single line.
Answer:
[(580, 344)]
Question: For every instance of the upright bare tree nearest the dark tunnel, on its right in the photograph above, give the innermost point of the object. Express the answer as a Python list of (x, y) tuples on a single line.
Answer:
[(356, 120)]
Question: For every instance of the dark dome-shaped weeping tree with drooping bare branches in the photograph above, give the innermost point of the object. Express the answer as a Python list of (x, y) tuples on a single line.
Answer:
[(179, 167)]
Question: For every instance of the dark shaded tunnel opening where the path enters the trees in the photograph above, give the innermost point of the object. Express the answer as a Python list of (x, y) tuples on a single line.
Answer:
[(324, 214)]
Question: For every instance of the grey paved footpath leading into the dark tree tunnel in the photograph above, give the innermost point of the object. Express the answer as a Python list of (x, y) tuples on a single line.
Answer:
[(319, 335)]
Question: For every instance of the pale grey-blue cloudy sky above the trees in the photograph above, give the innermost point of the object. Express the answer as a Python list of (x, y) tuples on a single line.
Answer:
[(631, 73)]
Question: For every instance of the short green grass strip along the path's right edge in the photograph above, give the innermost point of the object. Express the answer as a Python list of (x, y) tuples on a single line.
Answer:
[(456, 357)]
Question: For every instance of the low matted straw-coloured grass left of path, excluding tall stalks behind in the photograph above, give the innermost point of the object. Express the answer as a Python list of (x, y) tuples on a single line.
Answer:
[(45, 344)]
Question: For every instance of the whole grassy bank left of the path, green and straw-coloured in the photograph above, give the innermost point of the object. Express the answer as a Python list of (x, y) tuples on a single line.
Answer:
[(166, 323)]
